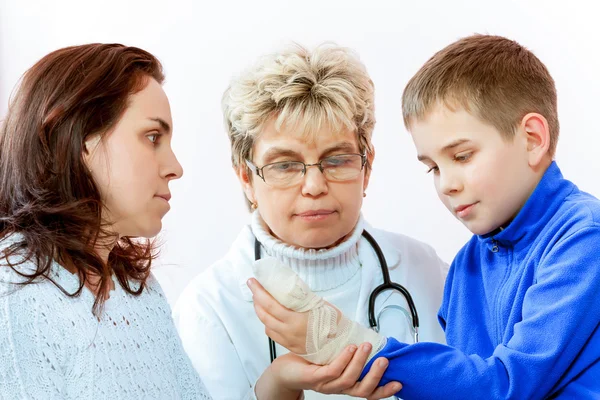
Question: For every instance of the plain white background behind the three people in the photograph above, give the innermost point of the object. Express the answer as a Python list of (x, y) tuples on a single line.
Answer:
[(203, 44)]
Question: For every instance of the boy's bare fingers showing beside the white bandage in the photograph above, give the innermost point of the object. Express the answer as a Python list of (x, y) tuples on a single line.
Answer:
[(284, 326)]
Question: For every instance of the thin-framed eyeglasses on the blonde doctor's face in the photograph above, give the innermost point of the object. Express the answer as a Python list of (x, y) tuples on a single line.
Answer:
[(338, 168)]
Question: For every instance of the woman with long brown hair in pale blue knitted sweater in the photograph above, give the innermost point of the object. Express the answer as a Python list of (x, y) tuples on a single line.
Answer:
[(85, 167)]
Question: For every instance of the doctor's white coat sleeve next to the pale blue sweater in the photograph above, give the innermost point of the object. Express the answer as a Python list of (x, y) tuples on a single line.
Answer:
[(211, 351)]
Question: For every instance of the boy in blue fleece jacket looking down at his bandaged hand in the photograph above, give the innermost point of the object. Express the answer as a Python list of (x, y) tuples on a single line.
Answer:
[(520, 308)]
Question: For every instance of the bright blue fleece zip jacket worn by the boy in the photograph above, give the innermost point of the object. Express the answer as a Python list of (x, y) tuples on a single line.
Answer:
[(520, 311)]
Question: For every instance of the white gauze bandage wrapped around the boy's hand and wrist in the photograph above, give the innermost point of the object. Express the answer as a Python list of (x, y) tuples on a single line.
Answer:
[(328, 330)]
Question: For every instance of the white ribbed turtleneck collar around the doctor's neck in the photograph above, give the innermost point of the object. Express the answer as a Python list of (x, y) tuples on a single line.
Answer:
[(323, 269)]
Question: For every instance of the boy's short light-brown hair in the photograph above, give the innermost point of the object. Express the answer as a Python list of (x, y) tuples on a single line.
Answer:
[(492, 77)]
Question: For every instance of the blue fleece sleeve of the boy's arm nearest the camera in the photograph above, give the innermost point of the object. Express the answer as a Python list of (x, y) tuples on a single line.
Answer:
[(557, 339)]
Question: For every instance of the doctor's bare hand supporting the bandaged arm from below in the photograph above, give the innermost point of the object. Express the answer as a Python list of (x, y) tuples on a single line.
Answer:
[(290, 374)]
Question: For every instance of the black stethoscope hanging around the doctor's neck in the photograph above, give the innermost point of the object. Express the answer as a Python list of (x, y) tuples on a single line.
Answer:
[(386, 285)]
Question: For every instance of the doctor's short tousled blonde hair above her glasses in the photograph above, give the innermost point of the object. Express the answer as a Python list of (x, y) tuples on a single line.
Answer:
[(304, 90)]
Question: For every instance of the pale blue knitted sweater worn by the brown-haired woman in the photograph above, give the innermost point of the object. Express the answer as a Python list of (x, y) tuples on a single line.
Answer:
[(53, 347)]
